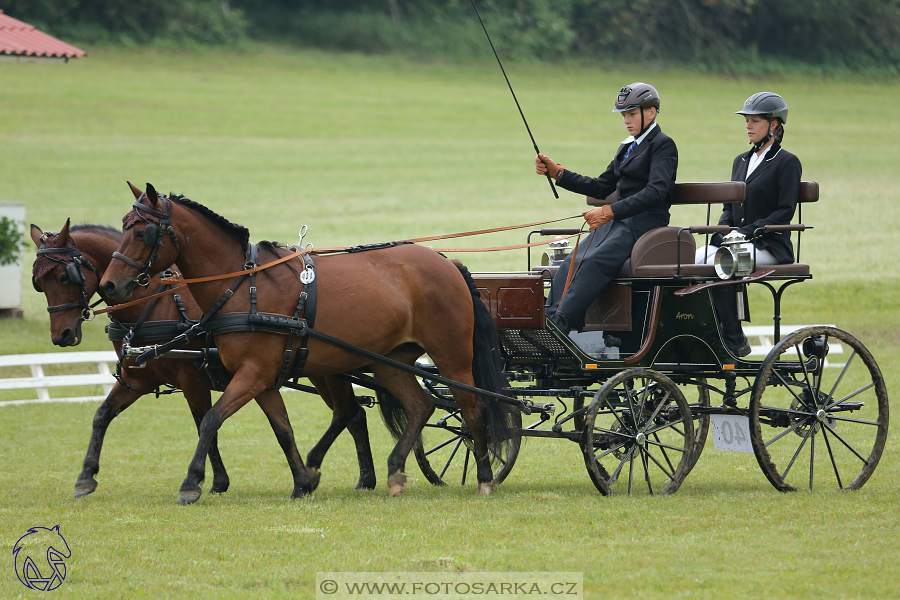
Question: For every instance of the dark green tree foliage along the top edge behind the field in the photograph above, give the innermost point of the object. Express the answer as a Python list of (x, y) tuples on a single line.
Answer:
[(715, 33)]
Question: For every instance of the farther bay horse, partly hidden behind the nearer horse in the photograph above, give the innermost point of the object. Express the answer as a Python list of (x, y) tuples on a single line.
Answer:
[(68, 286)]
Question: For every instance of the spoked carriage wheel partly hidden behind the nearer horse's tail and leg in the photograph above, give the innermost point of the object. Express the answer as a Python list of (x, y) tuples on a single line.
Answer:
[(445, 451)]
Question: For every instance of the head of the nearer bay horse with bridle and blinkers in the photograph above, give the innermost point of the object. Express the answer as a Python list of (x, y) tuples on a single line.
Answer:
[(142, 251)]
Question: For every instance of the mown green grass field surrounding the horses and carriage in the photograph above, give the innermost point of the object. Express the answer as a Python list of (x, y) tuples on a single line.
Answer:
[(365, 149)]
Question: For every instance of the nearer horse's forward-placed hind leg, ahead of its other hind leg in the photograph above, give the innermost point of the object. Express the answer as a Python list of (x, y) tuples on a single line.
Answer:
[(419, 408)]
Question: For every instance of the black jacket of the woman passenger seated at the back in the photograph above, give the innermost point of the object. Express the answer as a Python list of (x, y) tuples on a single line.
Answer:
[(772, 192)]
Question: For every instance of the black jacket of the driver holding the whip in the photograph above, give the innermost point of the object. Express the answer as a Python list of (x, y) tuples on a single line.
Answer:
[(644, 184)]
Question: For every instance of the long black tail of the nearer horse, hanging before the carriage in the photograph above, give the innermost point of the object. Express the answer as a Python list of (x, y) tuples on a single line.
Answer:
[(487, 369)]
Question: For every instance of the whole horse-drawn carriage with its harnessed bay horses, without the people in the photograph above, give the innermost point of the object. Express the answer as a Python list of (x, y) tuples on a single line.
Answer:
[(634, 389)]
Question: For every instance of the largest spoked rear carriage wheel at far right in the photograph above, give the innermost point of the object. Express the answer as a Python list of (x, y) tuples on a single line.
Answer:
[(808, 421)]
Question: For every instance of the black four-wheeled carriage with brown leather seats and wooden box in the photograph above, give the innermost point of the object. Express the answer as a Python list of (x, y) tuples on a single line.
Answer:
[(640, 386)]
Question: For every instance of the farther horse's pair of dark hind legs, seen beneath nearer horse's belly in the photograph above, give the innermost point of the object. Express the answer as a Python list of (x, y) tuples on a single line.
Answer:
[(347, 413)]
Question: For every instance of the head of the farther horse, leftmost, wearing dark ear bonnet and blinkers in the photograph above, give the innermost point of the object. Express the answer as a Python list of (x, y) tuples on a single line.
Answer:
[(67, 279)]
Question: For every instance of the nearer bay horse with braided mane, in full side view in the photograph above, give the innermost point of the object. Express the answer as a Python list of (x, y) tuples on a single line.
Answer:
[(398, 302)]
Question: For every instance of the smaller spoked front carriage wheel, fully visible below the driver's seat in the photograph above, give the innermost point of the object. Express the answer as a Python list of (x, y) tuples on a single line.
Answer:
[(639, 429)]
